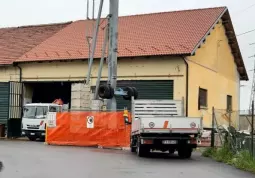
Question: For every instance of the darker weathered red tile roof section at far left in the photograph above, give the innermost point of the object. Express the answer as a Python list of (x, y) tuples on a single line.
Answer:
[(14, 42)]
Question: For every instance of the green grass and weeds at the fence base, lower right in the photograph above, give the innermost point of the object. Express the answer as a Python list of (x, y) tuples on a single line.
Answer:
[(242, 160)]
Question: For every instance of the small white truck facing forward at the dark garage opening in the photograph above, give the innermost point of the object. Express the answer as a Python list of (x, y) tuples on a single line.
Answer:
[(34, 119)]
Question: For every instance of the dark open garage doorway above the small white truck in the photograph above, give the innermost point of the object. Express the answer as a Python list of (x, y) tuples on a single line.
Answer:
[(47, 92)]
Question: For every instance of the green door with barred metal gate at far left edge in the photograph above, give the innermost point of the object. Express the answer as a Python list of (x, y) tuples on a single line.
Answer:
[(11, 107)]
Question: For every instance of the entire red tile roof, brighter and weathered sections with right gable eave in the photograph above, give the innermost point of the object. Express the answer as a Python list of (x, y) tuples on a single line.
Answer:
[(166, 33)]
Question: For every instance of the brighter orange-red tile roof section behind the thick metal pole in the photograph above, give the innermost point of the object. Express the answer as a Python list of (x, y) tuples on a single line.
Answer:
[(167, 33)]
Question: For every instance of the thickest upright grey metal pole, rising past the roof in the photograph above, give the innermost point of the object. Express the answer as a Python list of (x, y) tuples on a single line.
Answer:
[(113, 50)]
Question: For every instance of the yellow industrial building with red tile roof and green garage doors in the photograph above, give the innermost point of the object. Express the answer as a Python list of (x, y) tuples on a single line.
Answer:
[(191, 55)]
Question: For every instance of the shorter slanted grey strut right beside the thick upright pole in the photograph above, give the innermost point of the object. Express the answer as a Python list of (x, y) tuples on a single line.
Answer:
[(101, 63)]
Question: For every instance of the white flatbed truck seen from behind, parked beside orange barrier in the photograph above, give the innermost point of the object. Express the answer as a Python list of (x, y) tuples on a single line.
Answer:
[(161, 125)]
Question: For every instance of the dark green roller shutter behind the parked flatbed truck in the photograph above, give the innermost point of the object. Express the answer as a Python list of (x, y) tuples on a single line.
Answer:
[(147, 89)]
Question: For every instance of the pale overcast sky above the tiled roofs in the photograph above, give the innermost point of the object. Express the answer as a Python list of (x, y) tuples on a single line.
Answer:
[(28, 12)]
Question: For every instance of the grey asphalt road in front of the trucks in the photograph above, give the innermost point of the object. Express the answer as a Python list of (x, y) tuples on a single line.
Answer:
[(36, 160)]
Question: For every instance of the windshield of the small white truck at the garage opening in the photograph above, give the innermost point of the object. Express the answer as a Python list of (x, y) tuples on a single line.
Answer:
[(35, 112)]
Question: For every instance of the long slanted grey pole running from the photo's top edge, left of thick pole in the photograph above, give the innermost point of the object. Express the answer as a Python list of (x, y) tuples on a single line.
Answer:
[(94, 41)]
